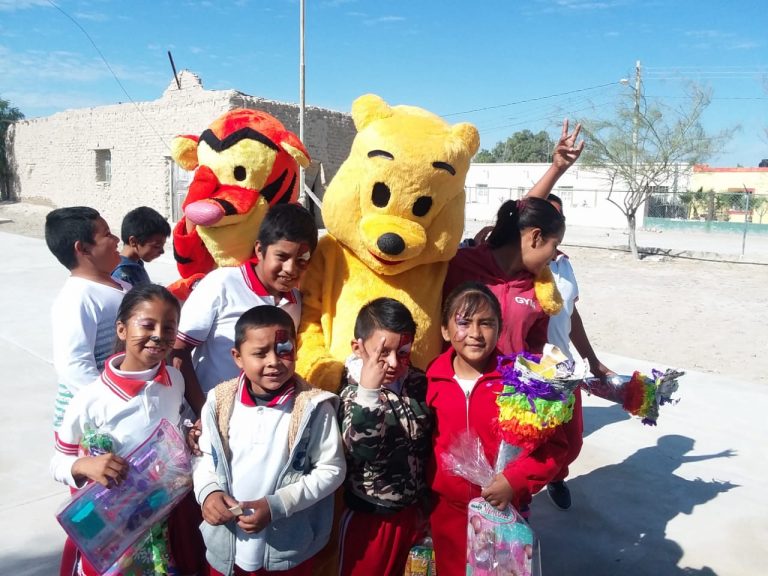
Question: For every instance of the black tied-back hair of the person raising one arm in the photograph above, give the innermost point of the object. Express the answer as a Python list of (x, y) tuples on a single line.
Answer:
[(514, 216)]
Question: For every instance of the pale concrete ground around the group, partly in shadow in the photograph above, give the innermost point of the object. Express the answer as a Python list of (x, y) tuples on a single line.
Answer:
[(680, 498)]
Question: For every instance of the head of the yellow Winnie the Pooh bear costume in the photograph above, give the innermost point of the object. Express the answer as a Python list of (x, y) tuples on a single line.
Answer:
[(398, 199)]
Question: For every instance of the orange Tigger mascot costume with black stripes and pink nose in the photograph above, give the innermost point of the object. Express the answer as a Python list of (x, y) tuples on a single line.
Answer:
[(246, 161)]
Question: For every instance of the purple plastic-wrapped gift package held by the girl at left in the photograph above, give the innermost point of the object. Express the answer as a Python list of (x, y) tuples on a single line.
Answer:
[(106, 522)]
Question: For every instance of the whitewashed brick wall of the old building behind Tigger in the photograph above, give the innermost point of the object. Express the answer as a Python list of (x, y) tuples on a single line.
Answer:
[(55, 158)]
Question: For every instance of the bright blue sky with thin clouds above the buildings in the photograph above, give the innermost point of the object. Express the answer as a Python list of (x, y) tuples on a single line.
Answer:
[(503, 65)]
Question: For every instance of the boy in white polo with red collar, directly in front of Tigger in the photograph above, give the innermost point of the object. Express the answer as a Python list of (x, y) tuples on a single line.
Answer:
[(287, 237)]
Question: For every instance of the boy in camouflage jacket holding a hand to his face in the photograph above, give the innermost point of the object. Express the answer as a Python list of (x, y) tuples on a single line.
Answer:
[(386, 430)]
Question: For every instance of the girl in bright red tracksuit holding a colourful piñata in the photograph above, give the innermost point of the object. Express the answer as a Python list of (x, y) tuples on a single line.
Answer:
[(463, 384)]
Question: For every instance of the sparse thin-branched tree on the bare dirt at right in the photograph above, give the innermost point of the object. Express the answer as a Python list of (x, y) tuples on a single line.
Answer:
[(642, 146)]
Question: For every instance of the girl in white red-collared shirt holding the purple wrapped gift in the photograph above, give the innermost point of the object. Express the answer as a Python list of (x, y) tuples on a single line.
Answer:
[(117, 412)]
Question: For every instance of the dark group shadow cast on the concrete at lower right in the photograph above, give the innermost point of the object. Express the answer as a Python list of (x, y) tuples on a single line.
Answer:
[(620, 514)]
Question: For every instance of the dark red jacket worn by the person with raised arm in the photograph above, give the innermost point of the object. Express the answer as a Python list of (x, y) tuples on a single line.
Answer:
[(524, 323)]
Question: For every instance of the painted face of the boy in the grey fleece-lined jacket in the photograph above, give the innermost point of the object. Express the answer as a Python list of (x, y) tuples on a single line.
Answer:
[(268, 358)]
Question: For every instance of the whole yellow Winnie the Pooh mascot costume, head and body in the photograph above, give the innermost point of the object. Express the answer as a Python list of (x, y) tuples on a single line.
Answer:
[(395, 214)]
